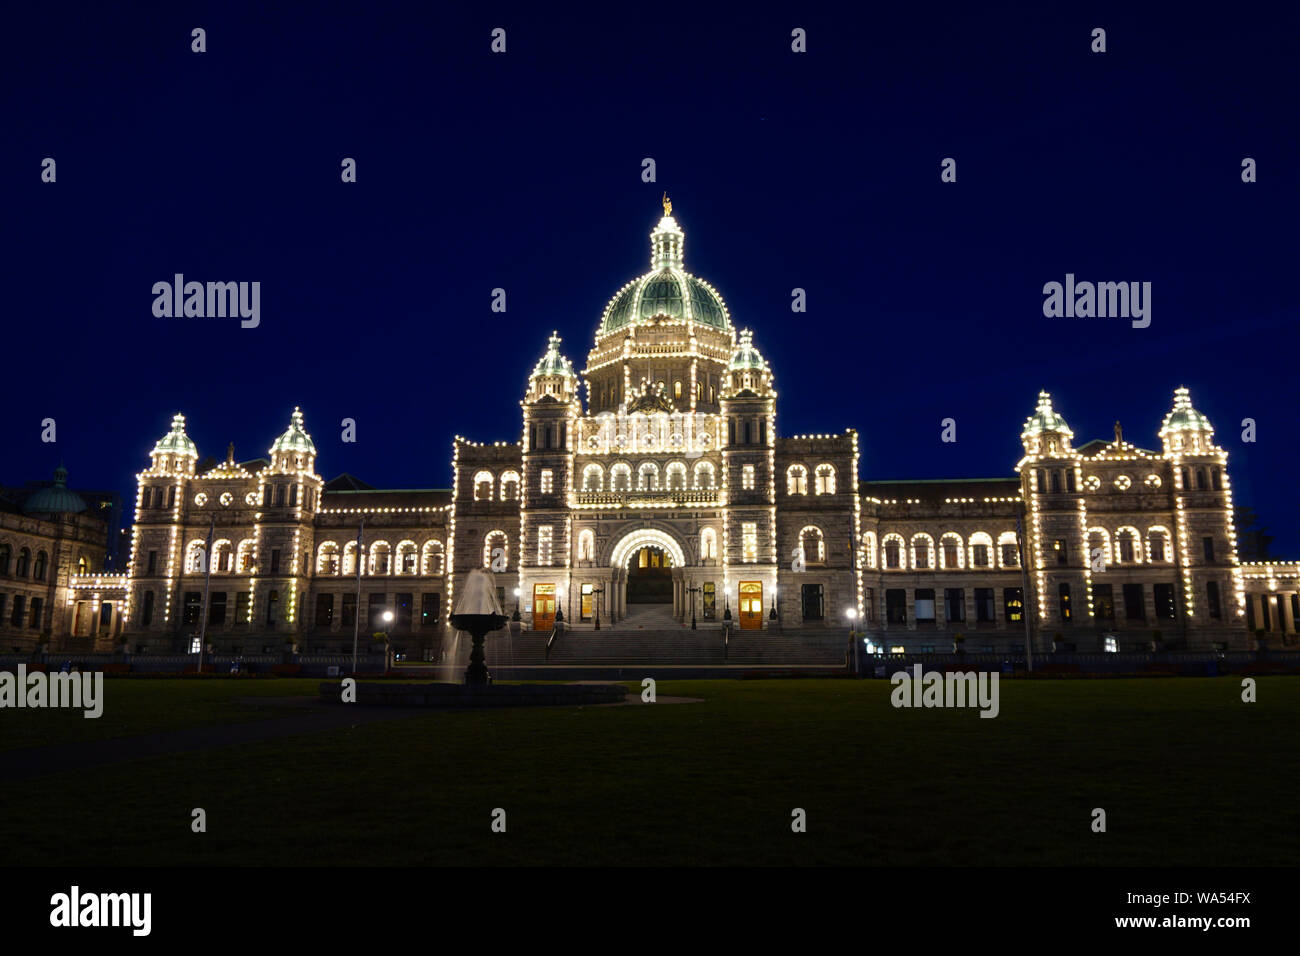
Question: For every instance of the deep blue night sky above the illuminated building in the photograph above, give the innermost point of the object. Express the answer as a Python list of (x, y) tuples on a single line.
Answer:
[(522, 171)]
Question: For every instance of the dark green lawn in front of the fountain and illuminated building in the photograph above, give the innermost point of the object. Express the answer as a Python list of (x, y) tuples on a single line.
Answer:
[(1188, 776)]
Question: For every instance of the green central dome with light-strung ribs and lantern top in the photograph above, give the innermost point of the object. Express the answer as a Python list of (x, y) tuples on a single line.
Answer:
[(668, 291)]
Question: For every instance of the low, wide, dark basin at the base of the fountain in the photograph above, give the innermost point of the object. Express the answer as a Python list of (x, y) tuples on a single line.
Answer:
[(460, 697)]
